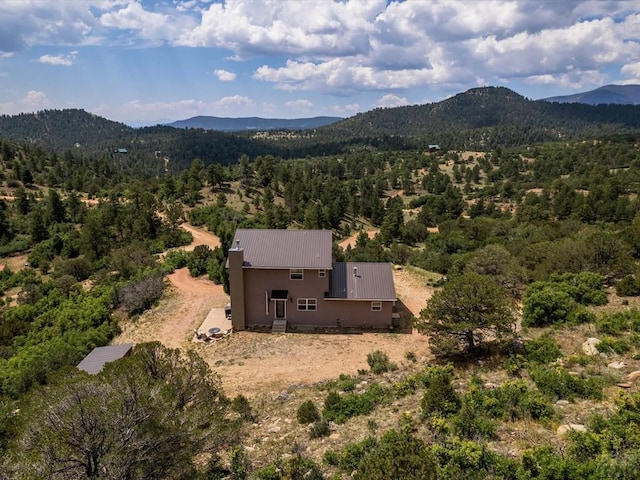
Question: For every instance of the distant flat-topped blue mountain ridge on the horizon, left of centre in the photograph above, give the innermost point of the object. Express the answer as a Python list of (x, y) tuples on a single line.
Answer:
[(253, 123)]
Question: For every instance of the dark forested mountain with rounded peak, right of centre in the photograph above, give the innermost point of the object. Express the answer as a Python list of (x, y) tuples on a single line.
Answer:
[(486, 117)]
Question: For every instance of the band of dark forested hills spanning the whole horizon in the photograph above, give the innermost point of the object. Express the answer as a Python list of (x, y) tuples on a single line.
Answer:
[(479, 119)]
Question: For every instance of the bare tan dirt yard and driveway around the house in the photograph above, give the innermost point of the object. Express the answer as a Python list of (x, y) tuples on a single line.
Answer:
[(257, 363)]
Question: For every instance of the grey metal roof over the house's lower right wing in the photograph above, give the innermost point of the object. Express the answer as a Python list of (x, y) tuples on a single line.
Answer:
[(362, 281)]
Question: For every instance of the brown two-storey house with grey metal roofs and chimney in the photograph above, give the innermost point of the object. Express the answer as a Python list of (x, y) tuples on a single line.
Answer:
[(287, 280)]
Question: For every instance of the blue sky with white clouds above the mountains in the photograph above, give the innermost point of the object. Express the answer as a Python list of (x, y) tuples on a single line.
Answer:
[(144, 62)]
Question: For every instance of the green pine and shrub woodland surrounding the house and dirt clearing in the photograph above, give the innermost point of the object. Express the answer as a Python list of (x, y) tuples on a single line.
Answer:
[(538, 233)]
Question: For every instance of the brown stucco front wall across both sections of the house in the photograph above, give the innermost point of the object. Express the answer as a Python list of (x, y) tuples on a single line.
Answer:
[(329, 313)]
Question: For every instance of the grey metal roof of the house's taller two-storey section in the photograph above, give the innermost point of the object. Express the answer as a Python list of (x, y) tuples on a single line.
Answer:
[(285, 248)]
